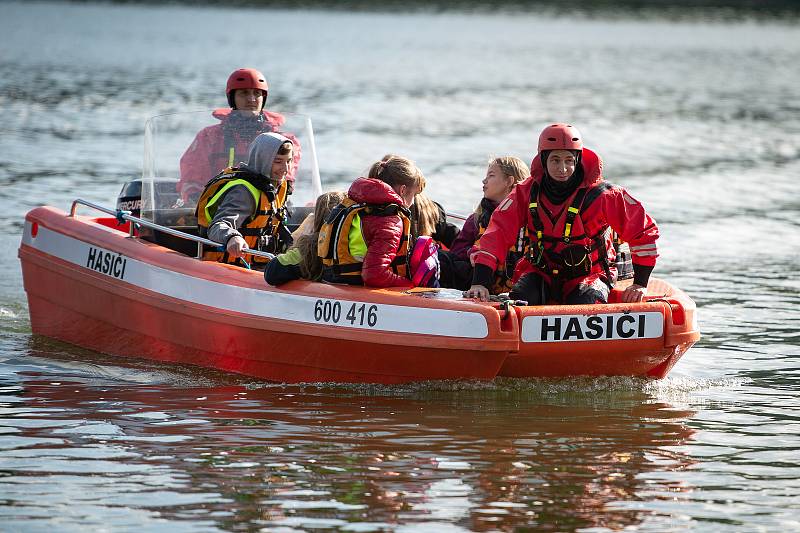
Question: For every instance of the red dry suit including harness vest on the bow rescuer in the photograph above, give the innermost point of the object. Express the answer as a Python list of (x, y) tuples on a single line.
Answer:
[(613, 208)]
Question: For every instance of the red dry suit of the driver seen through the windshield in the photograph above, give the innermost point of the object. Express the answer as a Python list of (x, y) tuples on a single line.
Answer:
[(210, 152)]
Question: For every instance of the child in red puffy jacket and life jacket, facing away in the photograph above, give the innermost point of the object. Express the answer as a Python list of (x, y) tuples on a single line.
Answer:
[(371, 245)]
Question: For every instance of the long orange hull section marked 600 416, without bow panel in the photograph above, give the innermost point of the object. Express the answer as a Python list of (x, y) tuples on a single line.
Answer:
[(75, 299)]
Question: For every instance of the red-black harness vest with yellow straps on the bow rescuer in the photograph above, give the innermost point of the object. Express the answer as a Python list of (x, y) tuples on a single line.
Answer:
[(568, 255)]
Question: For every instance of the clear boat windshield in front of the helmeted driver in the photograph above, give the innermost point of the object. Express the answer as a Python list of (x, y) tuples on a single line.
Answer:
[(183, 151)]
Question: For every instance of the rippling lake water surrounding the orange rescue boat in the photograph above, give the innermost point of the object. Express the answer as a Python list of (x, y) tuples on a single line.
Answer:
[(699, 119)]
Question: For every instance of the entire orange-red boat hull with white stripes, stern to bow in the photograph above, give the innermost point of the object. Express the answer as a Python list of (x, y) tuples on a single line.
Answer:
[(91, 285)]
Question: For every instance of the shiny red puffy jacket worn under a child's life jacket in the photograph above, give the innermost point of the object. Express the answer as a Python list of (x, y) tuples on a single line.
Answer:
[(382, 234)]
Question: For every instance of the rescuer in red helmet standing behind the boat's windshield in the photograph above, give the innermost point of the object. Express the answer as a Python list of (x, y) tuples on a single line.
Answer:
[(219, 146)]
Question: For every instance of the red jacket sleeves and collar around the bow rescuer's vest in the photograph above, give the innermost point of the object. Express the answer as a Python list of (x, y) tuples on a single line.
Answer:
[(614, 208)]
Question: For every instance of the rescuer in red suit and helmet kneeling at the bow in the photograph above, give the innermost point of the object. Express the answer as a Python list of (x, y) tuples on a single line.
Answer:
[(569, 211)]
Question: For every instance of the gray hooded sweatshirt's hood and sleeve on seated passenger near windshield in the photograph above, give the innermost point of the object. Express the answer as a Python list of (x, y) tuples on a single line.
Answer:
[(237, 204)]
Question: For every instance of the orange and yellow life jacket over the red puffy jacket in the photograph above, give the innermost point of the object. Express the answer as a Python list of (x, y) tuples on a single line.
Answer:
[(341, 244)]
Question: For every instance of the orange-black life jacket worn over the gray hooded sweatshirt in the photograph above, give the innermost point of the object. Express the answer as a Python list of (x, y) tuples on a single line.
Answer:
[(264, 230)]
